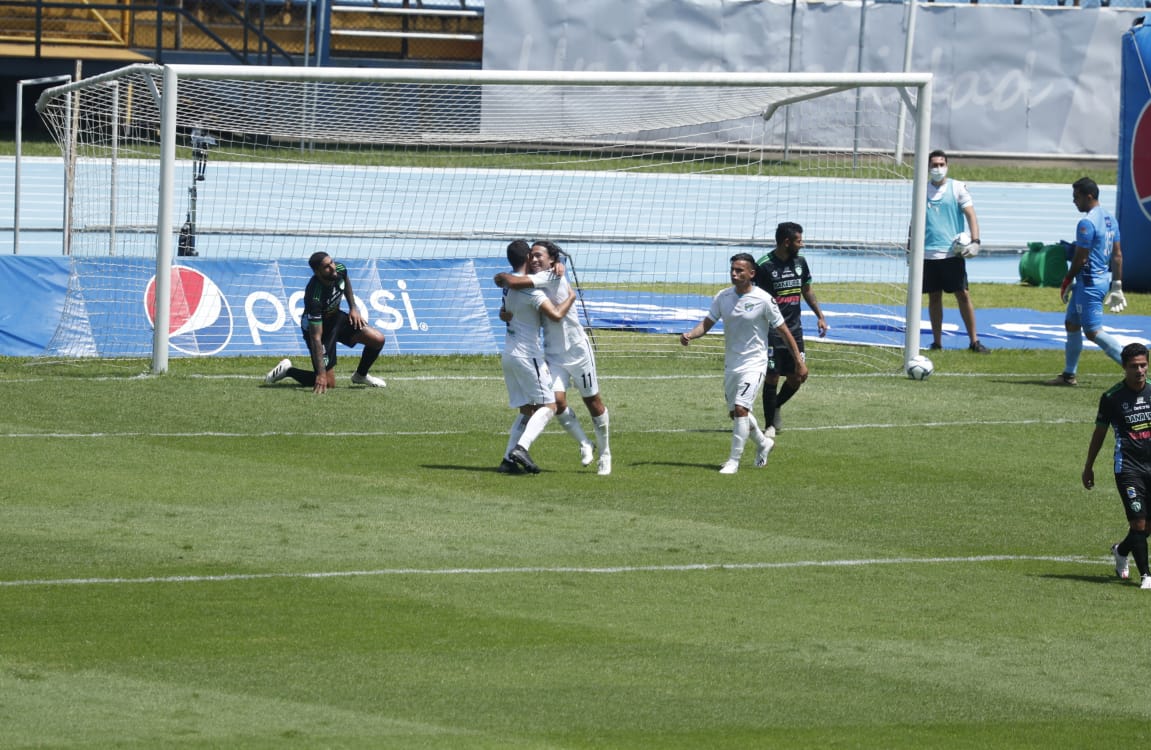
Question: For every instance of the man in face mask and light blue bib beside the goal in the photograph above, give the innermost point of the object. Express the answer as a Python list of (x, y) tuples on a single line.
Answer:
[(944, 258)]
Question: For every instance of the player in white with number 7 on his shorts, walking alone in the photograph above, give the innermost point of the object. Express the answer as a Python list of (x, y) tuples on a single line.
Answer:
[(749, 316)]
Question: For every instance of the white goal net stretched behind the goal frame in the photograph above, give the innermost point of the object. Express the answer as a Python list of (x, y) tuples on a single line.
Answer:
[(197, 194)]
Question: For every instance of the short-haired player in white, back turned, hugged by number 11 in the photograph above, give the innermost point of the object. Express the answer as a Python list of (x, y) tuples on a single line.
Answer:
[(524, 366)]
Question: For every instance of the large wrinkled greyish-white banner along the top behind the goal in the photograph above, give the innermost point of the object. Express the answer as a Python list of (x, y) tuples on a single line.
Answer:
[(1009, 79)]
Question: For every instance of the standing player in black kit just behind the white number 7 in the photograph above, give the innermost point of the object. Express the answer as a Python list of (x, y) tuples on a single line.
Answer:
[(784, 274)]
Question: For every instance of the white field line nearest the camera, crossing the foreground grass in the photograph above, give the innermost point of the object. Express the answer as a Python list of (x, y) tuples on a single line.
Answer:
[(559, 571)]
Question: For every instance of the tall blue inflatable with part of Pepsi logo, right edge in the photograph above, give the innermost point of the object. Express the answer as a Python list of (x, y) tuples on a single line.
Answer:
[(1133, 197)]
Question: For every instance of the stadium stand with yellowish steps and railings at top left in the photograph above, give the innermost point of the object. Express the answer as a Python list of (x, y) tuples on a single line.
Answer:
[(273, 33)]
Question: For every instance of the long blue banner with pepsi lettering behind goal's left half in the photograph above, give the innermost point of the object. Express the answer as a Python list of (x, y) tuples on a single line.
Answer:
[(225, 308)]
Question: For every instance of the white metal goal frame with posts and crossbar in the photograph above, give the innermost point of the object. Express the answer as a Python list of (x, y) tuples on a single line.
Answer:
[(914, 89)]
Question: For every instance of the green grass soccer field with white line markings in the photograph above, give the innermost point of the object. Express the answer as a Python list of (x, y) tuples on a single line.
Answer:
[(199, 561)]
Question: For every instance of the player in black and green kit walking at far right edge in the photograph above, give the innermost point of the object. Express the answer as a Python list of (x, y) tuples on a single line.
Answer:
[(1126, 409)]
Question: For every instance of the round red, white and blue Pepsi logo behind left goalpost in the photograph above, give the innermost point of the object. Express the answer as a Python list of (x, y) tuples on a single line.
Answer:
[(201, 322)]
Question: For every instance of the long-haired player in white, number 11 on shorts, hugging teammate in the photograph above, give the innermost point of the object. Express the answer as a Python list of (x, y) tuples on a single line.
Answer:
[(568, 351)]
